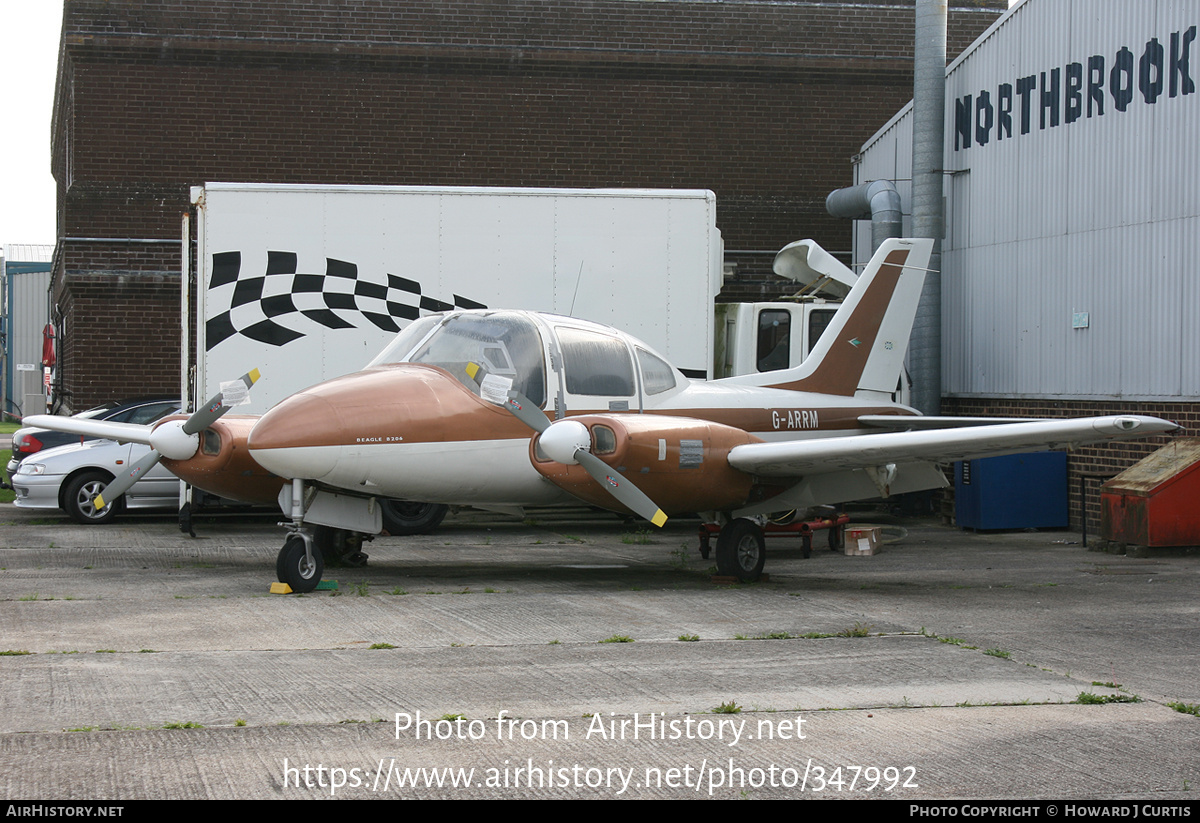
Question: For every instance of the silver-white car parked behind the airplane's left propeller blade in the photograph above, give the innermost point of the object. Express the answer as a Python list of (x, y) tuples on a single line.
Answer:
[(69, 477)]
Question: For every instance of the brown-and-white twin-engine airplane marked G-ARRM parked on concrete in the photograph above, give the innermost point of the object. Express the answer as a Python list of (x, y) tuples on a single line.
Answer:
[(505, 410)]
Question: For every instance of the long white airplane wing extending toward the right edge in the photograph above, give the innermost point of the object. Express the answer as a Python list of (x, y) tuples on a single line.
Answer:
[(793, 459)]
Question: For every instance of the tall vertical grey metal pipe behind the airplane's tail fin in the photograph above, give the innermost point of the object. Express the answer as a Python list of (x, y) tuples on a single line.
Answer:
[(928, 149)]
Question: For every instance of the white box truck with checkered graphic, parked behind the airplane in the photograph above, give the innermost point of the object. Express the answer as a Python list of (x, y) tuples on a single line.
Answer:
[(309, 283)]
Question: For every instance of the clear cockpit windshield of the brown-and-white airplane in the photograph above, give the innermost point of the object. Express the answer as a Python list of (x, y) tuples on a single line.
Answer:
[(489, 353)]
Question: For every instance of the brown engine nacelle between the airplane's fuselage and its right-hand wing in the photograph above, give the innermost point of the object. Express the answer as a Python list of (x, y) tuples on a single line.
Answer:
[(681, 464)]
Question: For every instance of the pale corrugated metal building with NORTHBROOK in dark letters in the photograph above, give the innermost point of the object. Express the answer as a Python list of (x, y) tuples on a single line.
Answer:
[(1071, 281)]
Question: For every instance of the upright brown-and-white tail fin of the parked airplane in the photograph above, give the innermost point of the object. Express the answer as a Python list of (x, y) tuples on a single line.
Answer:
[(865, 346)]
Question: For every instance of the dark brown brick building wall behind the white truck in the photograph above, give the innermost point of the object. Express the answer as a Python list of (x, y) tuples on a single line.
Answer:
[(763, 103)]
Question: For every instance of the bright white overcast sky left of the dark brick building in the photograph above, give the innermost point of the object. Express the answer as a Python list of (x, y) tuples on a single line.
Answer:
[(29, 51)]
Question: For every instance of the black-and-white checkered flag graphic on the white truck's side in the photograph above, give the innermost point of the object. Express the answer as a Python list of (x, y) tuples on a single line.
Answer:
[(271, 308)]
